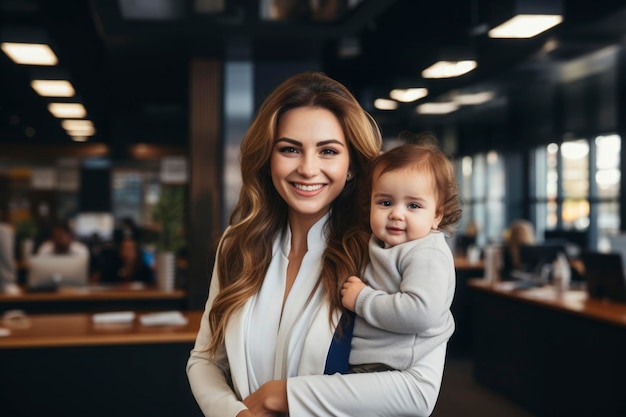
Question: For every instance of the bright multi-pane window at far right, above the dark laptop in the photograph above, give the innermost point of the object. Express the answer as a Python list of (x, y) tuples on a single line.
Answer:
[(576, 187)]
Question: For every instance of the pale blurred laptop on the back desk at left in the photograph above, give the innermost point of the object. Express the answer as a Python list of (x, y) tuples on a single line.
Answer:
[(48, 272)]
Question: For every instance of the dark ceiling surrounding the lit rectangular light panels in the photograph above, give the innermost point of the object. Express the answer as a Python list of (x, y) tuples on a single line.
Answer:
[(129, 59)]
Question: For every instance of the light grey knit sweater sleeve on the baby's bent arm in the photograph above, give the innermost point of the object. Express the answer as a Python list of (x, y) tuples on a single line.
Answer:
[(423, 300)]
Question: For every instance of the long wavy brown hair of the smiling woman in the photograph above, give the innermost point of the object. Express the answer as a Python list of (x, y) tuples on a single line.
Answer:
[(260, 215)]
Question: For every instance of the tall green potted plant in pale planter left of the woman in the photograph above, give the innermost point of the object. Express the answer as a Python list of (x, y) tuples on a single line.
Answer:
[(169, 215)]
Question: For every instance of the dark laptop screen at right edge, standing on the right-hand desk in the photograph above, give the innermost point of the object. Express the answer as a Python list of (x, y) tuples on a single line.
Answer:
[(604, 275)]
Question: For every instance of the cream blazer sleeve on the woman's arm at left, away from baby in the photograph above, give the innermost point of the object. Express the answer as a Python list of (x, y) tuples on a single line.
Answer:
[(207, 376)]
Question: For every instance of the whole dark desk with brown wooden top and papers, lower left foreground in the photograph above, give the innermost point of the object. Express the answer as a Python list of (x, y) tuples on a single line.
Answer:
[(64, 365)]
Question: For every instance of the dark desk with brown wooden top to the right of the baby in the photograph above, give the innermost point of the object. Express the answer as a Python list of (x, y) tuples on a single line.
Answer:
[(555, 356)]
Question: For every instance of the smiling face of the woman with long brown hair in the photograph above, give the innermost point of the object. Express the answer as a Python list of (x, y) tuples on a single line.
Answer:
[(309, 162)]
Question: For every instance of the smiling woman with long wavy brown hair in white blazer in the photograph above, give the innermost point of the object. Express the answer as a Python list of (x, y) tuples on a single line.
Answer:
[(271, 327)]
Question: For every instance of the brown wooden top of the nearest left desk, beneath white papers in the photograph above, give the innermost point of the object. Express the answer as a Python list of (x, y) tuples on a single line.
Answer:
[(64, 330)]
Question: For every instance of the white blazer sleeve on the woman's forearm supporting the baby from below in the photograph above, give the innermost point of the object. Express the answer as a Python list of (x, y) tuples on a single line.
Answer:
[(411, 392)]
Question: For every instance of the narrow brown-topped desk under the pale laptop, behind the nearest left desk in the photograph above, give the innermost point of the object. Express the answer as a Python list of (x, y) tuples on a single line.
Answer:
[(94, 298)]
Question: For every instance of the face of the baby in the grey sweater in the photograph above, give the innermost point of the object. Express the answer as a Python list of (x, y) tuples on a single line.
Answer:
[(403, 206)]
